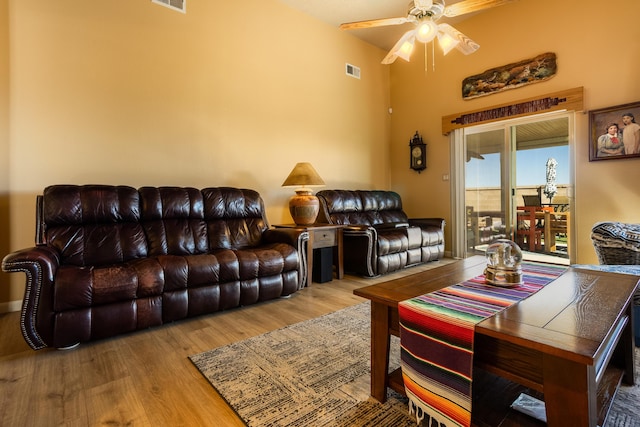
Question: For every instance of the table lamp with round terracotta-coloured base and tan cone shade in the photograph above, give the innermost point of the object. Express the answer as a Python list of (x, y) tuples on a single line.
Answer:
[(304, 206)]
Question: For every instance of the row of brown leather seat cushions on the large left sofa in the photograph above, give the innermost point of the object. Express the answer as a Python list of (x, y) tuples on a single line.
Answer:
[(82, 287)]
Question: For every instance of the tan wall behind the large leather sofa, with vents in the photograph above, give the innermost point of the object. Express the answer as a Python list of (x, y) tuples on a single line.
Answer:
[(129, 92)]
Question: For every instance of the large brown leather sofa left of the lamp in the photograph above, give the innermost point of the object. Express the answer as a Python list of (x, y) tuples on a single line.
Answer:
[(110, 260)]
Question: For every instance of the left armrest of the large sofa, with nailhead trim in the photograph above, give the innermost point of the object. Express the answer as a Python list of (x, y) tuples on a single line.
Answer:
[(40, 265)]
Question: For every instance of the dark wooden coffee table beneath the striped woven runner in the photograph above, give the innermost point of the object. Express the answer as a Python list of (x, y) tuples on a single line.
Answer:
[(572, 340)]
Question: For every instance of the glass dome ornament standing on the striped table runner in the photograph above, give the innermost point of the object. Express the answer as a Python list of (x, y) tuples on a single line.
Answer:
[(504, 259)]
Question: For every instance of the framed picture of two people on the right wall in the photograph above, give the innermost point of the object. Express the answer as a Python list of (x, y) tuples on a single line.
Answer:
[(614, 132)]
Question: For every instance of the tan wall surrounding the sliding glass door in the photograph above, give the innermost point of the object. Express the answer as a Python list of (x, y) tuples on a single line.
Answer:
[(604, 59)]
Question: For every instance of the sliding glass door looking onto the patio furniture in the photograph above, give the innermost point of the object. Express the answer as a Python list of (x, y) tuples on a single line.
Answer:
[(512, 168)]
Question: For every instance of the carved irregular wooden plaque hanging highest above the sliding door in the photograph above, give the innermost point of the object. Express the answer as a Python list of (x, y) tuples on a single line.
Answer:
[(511, 76)]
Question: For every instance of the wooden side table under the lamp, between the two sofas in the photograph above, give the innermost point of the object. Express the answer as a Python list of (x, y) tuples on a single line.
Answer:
[(321, 236)]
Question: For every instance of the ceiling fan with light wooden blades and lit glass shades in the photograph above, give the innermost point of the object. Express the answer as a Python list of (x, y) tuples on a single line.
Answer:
[(424, 14)]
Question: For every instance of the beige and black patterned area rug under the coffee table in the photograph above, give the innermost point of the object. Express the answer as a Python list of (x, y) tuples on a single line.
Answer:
[(316, 373)]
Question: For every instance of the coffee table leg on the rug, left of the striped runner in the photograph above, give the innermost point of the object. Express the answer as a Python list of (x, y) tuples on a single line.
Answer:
[(380, 343)]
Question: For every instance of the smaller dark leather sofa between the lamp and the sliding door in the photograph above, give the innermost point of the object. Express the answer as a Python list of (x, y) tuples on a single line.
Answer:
[(379, 237)]
